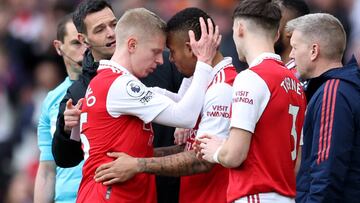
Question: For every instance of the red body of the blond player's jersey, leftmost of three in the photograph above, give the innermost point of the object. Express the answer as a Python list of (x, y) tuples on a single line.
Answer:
[(102, 132)]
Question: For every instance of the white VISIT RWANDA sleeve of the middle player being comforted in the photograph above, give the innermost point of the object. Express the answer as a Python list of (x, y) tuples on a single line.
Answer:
[(215, 117)]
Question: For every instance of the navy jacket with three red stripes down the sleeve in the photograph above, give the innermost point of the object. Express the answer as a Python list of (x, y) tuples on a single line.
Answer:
[(330, 167)]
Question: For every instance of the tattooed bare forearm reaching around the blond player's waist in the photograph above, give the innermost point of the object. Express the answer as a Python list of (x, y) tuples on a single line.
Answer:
[(184, 163)]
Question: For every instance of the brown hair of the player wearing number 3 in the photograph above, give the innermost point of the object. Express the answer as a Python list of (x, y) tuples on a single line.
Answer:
[(262, 16)]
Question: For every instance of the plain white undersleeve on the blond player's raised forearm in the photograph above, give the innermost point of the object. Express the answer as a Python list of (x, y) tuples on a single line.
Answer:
[(185, 113)]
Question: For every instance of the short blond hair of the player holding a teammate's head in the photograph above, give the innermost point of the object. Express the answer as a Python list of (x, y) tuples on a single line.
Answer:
[(141, 23)]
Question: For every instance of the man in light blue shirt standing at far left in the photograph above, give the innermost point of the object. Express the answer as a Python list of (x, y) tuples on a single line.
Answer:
[(55, 184)]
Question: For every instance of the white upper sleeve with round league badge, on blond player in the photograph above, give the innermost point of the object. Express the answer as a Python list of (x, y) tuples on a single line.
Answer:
[(128, 96)]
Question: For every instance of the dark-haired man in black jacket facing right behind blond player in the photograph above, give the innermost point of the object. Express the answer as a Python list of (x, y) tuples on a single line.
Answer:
[(95, 21)]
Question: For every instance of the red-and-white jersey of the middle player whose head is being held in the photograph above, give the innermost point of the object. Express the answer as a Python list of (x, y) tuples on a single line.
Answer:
[(214, 119)]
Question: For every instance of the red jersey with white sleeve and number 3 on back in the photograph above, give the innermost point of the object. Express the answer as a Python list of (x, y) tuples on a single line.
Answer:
[(268, 101)]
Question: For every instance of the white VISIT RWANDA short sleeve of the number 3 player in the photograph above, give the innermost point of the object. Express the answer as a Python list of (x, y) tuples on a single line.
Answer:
[(250, 97)]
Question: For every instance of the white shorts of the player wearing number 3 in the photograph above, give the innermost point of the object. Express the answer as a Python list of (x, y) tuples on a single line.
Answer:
[(269, 197)]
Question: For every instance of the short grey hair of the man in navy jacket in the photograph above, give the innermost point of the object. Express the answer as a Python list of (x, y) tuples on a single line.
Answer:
[(323, 29)]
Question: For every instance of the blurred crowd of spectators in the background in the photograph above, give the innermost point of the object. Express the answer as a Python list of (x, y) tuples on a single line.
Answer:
[(30, 67)]
